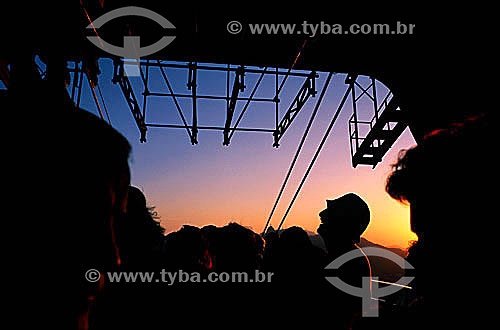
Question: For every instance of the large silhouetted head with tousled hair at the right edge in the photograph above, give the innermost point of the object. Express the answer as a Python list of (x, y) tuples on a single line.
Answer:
[(445, 169)]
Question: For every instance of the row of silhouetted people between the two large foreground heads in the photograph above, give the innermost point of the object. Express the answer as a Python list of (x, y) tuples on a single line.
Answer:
[(291, 266)]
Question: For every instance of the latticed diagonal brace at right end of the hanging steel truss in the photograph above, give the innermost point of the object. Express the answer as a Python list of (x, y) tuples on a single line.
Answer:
[(308, 89)]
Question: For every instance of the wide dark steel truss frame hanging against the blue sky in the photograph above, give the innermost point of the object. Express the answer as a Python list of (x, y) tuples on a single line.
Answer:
[(232, 96)]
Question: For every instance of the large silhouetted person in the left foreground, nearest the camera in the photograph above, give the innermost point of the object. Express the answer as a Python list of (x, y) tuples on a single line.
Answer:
[(92, 181)]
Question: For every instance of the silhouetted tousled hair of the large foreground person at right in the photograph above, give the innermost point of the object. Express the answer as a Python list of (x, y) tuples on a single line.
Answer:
[(437, 159)]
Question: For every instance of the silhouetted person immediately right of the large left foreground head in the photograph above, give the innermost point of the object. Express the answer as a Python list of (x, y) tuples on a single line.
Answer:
[(140, 241)]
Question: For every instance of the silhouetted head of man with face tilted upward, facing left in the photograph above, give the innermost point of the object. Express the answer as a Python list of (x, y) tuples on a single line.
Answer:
[(344, 220)]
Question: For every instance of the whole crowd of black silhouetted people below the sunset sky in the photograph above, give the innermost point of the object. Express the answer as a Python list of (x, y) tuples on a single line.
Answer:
[(98, 221)]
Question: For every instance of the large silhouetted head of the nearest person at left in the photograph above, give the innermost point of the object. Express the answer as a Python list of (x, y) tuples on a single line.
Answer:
[(99, 161)]
